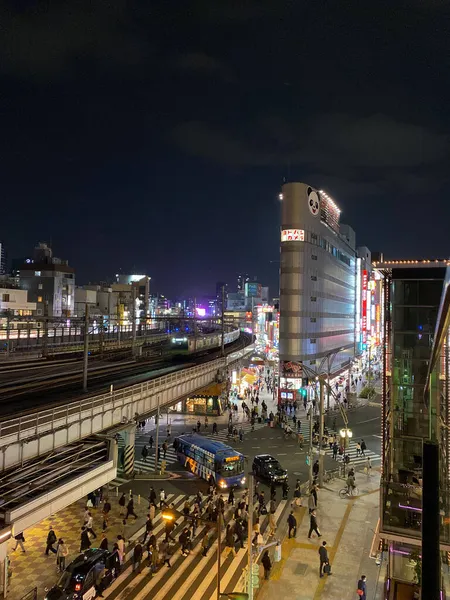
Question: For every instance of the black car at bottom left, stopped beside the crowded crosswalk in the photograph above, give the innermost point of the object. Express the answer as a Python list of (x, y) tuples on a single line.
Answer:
[(78, 580)]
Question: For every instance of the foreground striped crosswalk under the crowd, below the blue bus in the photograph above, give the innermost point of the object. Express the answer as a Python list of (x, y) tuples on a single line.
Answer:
[(193, 576)]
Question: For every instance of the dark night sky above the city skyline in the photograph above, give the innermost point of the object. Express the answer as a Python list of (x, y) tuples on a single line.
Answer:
[(155, 135)]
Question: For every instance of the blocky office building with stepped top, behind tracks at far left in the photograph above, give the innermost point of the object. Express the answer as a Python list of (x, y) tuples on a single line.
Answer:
[(50, 283)]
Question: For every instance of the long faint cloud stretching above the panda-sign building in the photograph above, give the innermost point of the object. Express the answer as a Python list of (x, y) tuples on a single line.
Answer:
[(327, 141)]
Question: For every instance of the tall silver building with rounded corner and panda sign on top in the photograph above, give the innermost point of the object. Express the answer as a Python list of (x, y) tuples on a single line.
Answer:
[(317, 281)]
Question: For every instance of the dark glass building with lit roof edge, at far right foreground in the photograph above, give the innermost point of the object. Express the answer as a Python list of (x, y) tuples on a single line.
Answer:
[(414, 501)]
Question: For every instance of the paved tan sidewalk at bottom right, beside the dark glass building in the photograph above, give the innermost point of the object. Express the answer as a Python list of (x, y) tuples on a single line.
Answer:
[(347, 526)]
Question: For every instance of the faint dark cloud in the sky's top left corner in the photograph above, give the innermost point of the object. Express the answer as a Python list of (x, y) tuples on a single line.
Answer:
[(46, 38)]
